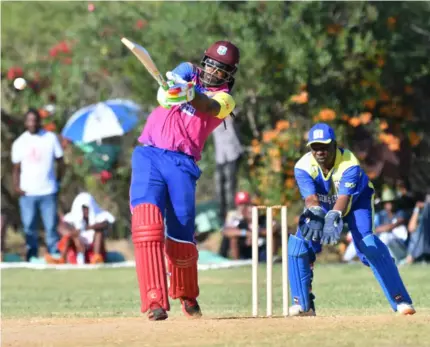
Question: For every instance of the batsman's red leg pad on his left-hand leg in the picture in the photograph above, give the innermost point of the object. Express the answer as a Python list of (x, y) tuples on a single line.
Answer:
[(148, 239)]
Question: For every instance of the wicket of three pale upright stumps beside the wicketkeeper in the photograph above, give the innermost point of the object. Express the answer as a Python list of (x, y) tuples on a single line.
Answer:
[(269, 260)]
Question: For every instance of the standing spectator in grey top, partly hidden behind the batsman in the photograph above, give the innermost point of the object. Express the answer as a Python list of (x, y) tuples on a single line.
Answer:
[(228, 151)]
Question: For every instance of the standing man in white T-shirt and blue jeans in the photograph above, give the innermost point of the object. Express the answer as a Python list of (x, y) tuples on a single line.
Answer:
[(34, 154)]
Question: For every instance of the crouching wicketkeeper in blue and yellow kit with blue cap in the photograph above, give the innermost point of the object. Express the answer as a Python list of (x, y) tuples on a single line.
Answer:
[(335, 190)]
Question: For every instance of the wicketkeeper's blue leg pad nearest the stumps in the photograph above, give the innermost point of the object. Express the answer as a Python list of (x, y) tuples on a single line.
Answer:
[(299, 271)]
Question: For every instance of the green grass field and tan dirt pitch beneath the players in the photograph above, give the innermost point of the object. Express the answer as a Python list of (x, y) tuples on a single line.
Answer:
[(101, 308)]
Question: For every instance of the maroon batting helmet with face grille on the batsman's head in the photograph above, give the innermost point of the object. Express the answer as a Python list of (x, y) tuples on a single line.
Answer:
[(221, 56)]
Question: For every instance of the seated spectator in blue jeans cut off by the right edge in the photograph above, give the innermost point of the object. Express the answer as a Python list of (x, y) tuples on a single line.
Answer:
[(419, 229)]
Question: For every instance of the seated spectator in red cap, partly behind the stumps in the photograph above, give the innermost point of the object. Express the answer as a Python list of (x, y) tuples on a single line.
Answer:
[(237, 230)]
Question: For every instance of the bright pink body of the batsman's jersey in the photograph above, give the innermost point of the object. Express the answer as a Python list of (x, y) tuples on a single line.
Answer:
[(182, 128)]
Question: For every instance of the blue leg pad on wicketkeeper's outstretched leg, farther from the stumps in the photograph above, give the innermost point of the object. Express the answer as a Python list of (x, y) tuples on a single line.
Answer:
[(385, 270)]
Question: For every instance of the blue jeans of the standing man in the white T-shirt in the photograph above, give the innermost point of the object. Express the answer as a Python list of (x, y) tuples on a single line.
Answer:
[(30, 206)]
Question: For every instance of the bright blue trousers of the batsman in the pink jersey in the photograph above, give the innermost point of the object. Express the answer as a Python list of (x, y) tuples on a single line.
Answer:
[(168, 180)]
